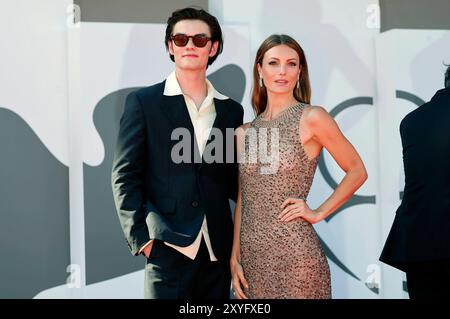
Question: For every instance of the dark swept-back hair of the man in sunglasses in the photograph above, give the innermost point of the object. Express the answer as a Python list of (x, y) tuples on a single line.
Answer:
[(191, 13)]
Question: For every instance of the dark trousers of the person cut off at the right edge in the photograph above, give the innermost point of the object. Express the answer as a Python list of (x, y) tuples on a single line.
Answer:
[(428, 280)]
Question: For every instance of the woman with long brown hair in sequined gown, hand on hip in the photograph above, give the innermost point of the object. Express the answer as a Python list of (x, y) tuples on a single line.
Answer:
[(276, 252)]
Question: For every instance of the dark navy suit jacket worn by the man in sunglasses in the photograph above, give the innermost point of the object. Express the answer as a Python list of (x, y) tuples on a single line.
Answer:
[(157, 198)]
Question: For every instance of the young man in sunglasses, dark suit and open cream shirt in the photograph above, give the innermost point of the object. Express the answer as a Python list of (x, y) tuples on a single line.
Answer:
[(172, 202)]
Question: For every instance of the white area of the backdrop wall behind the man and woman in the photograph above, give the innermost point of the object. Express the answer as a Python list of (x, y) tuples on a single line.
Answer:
[(65, 71)]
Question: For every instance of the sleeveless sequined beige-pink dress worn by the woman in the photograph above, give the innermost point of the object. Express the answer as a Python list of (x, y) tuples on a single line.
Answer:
[(280, 260)]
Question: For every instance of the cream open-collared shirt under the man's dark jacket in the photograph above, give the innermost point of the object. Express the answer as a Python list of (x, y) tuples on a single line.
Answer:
[(202, 119)]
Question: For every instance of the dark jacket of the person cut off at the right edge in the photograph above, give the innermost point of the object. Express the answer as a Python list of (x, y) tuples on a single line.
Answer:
[(421, 228)]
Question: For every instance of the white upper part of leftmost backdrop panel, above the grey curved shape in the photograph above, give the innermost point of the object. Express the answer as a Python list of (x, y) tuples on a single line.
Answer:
[(33, 68)]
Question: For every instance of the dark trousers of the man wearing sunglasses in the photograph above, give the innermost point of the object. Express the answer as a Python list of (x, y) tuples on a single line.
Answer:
[(171, 275)]
